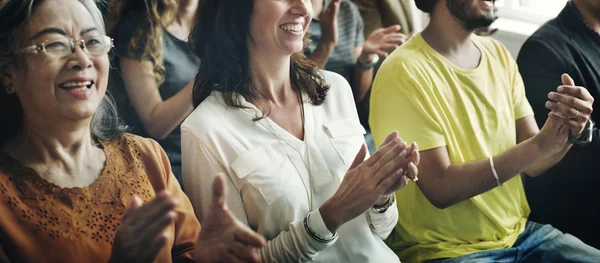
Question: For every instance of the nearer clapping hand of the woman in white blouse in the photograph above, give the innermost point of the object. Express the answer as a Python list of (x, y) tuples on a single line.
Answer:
[(366, 181)]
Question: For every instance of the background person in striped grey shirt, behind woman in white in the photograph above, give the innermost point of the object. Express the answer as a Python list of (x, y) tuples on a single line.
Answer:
[(338, 45)]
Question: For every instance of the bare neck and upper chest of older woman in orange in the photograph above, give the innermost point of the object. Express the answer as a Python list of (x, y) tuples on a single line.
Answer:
[(52, 142)]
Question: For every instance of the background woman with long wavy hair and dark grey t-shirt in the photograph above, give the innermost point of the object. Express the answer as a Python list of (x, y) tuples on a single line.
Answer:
[(154, 68)]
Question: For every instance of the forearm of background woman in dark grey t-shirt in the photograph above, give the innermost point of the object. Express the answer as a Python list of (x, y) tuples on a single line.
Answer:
[(167, 115)]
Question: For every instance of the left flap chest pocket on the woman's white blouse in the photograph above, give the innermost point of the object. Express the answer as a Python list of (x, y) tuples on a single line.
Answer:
[(260, 168)]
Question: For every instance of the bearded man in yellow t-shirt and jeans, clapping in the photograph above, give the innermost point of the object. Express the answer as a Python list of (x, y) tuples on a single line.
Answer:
[(461, 98)]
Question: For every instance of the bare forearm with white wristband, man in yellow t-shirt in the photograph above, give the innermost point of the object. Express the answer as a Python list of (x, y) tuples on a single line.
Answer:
[(460, 182)]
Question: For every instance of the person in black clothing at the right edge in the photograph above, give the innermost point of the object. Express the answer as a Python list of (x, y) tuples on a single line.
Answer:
[(567, 195)]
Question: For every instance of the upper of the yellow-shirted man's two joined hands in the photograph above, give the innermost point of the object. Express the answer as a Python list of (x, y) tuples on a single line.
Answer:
[(573, 104)]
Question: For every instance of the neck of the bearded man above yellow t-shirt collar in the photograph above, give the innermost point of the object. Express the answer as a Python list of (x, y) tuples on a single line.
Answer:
[(445, 34)]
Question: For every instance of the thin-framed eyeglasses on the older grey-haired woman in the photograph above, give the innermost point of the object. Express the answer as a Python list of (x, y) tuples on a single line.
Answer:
[(93, 46)]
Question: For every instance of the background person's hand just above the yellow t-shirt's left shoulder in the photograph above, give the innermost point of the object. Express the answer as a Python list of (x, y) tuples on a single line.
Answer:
[(383, 41)]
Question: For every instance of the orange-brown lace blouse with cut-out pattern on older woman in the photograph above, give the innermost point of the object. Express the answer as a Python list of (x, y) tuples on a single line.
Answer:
[(41, 222)]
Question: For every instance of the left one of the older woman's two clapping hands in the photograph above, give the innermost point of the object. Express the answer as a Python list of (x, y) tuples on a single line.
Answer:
[(141, 235)]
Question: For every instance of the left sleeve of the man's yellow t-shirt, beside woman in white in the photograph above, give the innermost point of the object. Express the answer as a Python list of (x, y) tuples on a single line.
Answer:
[(402, 101)]
